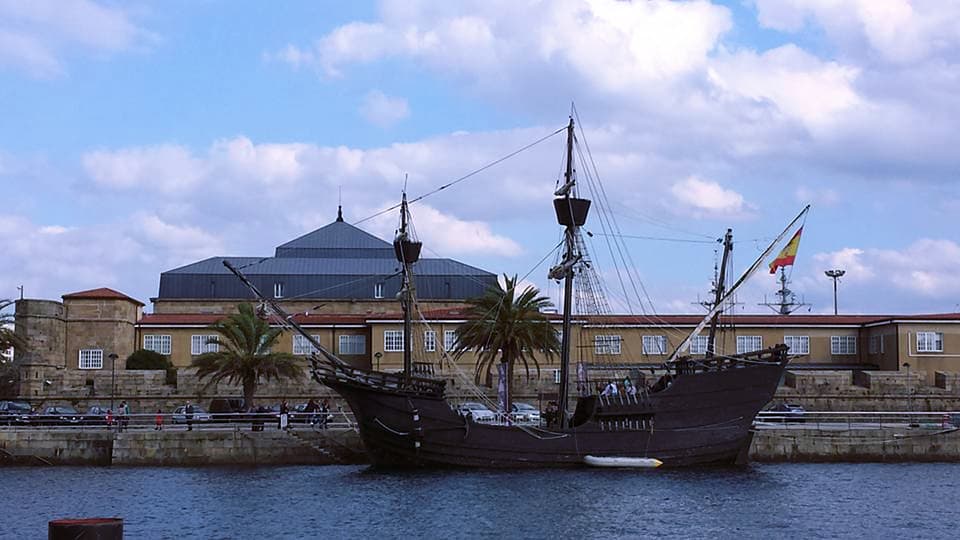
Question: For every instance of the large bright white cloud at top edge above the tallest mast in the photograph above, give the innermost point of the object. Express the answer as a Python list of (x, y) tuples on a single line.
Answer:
[(616, 44)]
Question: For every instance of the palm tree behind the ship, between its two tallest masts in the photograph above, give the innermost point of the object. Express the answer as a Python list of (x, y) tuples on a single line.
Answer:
[(506, 327)]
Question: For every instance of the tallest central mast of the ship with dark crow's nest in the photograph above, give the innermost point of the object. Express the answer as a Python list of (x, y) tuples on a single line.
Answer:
[(571, 213)]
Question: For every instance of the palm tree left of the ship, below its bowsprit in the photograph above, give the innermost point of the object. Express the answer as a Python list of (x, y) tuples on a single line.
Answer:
[(244, 356)]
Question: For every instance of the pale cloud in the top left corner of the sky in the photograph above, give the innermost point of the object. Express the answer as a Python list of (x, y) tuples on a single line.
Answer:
[(35, 35)]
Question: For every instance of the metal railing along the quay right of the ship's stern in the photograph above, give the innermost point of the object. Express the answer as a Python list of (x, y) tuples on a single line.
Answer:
[(850, 420)]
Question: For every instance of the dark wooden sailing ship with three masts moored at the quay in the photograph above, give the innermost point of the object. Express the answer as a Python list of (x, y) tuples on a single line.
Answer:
[(699, 412)]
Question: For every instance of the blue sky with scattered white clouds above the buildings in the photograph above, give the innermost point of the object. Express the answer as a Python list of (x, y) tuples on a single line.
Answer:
[(139, 136)]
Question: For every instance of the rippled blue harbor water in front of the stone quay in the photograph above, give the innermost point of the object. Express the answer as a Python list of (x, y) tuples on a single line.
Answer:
[(760, 501)]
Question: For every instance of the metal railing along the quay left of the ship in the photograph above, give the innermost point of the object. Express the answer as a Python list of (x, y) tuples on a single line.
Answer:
[(333, 420)]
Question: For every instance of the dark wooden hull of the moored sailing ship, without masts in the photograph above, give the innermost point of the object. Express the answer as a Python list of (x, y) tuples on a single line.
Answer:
[(703, 416)]
